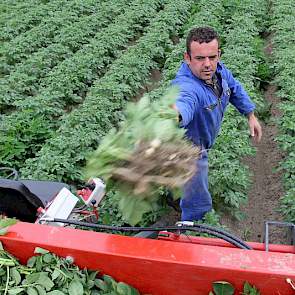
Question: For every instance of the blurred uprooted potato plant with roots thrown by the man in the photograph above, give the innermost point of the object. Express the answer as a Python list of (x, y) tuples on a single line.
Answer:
[(146, 152)]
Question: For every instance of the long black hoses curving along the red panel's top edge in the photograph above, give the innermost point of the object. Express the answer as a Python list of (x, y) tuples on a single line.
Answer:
[(196, 228)]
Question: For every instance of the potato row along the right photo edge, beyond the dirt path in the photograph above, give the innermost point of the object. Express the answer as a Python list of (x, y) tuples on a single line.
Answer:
[(283, 57)]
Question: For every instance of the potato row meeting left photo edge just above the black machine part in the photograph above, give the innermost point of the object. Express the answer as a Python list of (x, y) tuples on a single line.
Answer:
[(68, 83)]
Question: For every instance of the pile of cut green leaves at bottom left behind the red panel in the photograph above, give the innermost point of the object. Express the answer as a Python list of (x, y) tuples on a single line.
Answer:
[(52, 275)]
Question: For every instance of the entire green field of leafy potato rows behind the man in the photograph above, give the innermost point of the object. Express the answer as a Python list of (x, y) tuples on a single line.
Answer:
[(68, 68)]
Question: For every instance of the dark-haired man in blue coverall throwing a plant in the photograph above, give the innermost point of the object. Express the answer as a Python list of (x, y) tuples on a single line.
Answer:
[(206, 88)]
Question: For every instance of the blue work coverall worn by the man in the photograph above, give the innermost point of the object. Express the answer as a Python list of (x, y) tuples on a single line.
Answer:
[(202, 112)]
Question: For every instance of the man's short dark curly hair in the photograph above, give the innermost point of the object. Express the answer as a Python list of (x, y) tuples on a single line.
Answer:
[(200, 34)]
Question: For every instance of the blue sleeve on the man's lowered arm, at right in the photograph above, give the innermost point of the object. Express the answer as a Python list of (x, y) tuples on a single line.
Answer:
[(239, 97)]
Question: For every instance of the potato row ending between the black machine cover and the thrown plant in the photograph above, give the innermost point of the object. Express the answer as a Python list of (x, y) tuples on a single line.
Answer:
[(63, 156)]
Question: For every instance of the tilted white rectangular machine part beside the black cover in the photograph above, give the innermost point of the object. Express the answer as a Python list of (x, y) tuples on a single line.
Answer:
[(60, 207)]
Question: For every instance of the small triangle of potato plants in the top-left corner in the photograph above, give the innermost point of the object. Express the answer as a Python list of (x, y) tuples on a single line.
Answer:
[(17, 18)]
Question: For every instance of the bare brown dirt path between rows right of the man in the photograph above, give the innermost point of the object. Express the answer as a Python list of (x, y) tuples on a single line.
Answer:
[(267, 188)]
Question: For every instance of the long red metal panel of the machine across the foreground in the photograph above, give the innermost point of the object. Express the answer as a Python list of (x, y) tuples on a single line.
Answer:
[(155, 266)]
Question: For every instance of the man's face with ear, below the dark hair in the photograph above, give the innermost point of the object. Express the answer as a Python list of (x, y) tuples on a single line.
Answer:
[(203, 60)]
